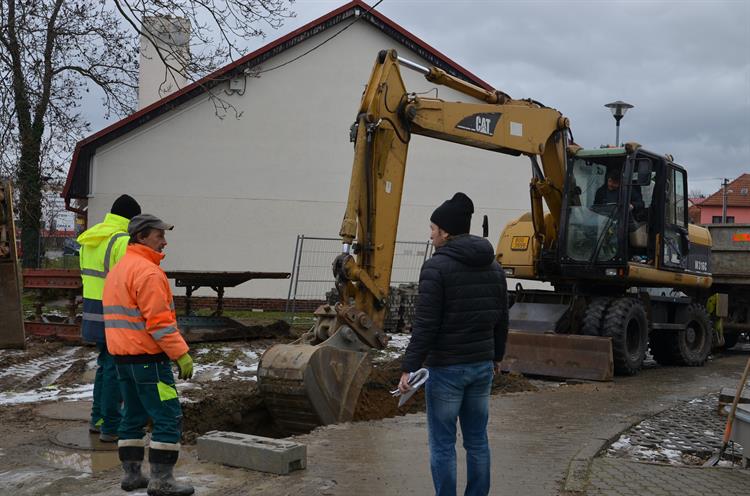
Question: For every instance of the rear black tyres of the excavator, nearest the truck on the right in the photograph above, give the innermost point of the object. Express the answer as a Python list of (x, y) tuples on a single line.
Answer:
[(690, 347)]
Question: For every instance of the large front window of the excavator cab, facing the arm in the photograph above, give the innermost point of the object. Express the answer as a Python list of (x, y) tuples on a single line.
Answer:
[(594, 209)]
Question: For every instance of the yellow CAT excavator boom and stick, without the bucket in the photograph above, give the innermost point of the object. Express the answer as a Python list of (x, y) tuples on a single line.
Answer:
[(387, 116)]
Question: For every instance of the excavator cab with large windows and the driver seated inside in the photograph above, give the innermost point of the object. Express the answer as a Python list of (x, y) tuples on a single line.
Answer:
[(625, 218)]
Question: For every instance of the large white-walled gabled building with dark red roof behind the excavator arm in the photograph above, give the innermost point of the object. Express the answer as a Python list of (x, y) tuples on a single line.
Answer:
[(240, 190)]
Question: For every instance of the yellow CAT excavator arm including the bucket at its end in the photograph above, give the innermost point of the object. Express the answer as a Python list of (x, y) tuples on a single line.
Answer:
[(317, 380)]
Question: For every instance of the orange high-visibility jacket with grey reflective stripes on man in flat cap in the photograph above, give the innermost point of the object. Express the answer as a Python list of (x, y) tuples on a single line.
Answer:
[(139, 316)]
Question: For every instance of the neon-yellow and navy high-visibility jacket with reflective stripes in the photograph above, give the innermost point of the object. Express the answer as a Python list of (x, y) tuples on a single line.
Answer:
[(102, 246)]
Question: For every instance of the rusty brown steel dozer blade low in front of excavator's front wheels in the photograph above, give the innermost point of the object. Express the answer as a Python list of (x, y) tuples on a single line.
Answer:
[(559, 355)]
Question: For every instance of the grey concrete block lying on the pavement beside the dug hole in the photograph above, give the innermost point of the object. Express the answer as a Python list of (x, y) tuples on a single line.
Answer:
[(264, 454)]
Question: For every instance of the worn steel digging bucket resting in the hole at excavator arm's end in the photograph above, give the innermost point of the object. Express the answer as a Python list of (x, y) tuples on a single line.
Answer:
[(304, 386)]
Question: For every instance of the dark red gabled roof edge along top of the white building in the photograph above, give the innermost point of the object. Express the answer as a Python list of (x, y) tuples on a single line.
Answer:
[(76, 185)]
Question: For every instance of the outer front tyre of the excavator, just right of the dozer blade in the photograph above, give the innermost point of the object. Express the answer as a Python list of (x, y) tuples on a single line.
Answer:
[(626, 323)]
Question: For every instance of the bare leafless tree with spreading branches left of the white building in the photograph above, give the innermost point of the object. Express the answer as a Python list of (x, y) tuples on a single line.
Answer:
[(53, 51)]
